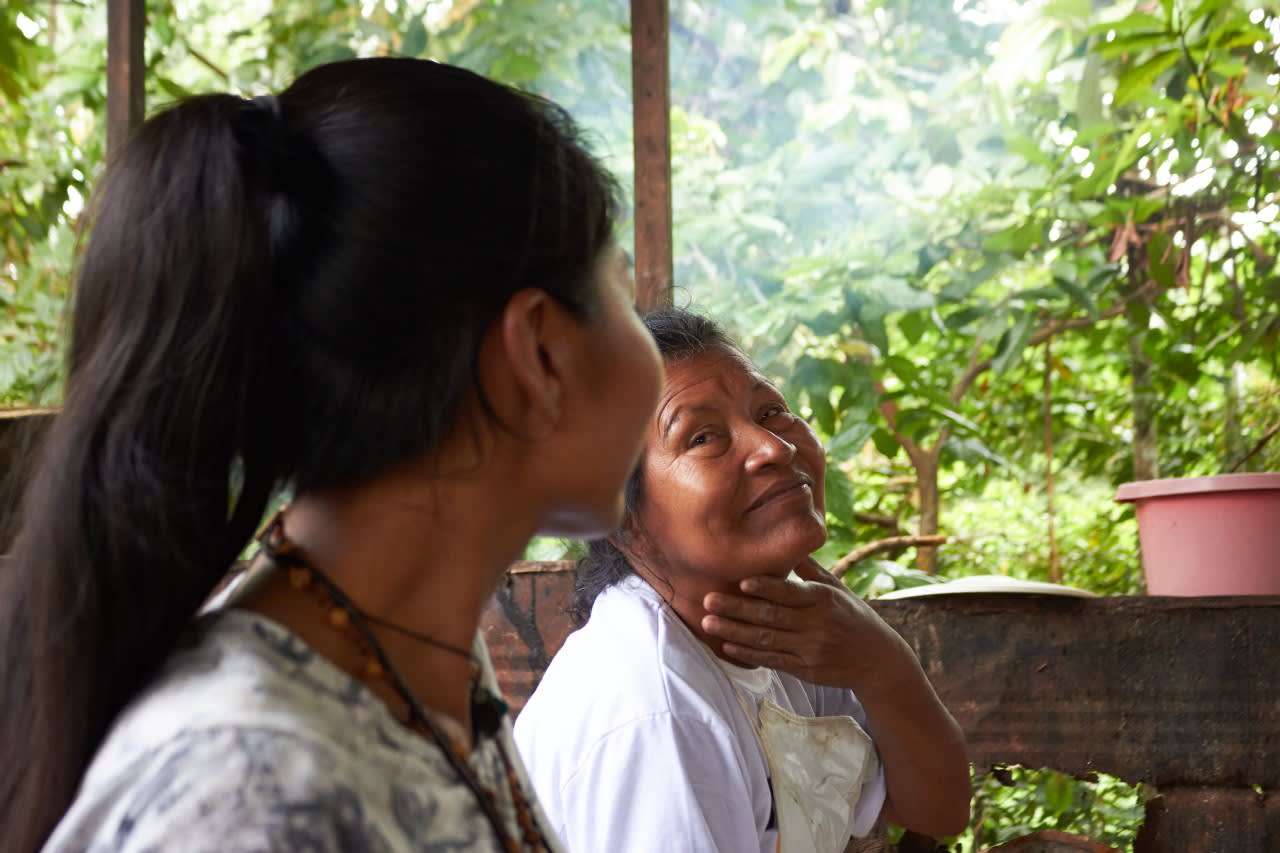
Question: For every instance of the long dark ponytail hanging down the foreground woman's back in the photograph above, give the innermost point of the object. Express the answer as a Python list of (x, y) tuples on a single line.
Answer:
[(162, 460)]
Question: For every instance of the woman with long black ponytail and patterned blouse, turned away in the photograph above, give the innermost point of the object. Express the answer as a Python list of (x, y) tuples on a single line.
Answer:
[(391, 290)]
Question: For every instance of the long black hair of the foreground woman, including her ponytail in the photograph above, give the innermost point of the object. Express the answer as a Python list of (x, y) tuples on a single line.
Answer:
[(281, 291)]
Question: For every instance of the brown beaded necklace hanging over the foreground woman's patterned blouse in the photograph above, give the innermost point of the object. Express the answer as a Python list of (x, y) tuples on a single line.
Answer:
[(487, 709)]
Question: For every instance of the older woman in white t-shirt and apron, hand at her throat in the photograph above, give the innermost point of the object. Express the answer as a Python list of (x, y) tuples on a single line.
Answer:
[(712, 703)]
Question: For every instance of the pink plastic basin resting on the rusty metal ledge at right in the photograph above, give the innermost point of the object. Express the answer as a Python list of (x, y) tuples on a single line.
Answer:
[(1209, 536)]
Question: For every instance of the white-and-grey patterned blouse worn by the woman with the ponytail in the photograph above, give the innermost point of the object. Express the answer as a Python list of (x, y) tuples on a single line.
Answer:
[(252, 741)]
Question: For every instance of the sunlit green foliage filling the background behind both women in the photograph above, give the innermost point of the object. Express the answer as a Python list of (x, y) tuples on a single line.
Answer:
[(894, 206)]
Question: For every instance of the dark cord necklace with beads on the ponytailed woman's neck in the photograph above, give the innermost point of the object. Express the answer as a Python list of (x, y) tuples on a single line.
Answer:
[(487, 709)]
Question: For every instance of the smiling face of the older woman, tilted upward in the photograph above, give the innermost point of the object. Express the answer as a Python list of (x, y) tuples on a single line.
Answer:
[(733, 481)]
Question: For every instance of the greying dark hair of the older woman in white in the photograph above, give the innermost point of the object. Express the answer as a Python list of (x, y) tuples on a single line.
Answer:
[(680, 335)]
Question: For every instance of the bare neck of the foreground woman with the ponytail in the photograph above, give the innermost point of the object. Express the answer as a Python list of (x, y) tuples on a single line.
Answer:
[(423, 556)]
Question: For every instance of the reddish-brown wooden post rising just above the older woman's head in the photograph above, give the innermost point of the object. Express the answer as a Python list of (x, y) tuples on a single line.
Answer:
[(651, 86)]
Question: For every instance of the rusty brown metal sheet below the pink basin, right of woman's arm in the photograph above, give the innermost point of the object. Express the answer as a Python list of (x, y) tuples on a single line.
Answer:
[(1164, 691)]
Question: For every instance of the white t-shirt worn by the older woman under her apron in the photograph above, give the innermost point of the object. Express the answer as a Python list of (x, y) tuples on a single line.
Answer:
[(637, 742)]
